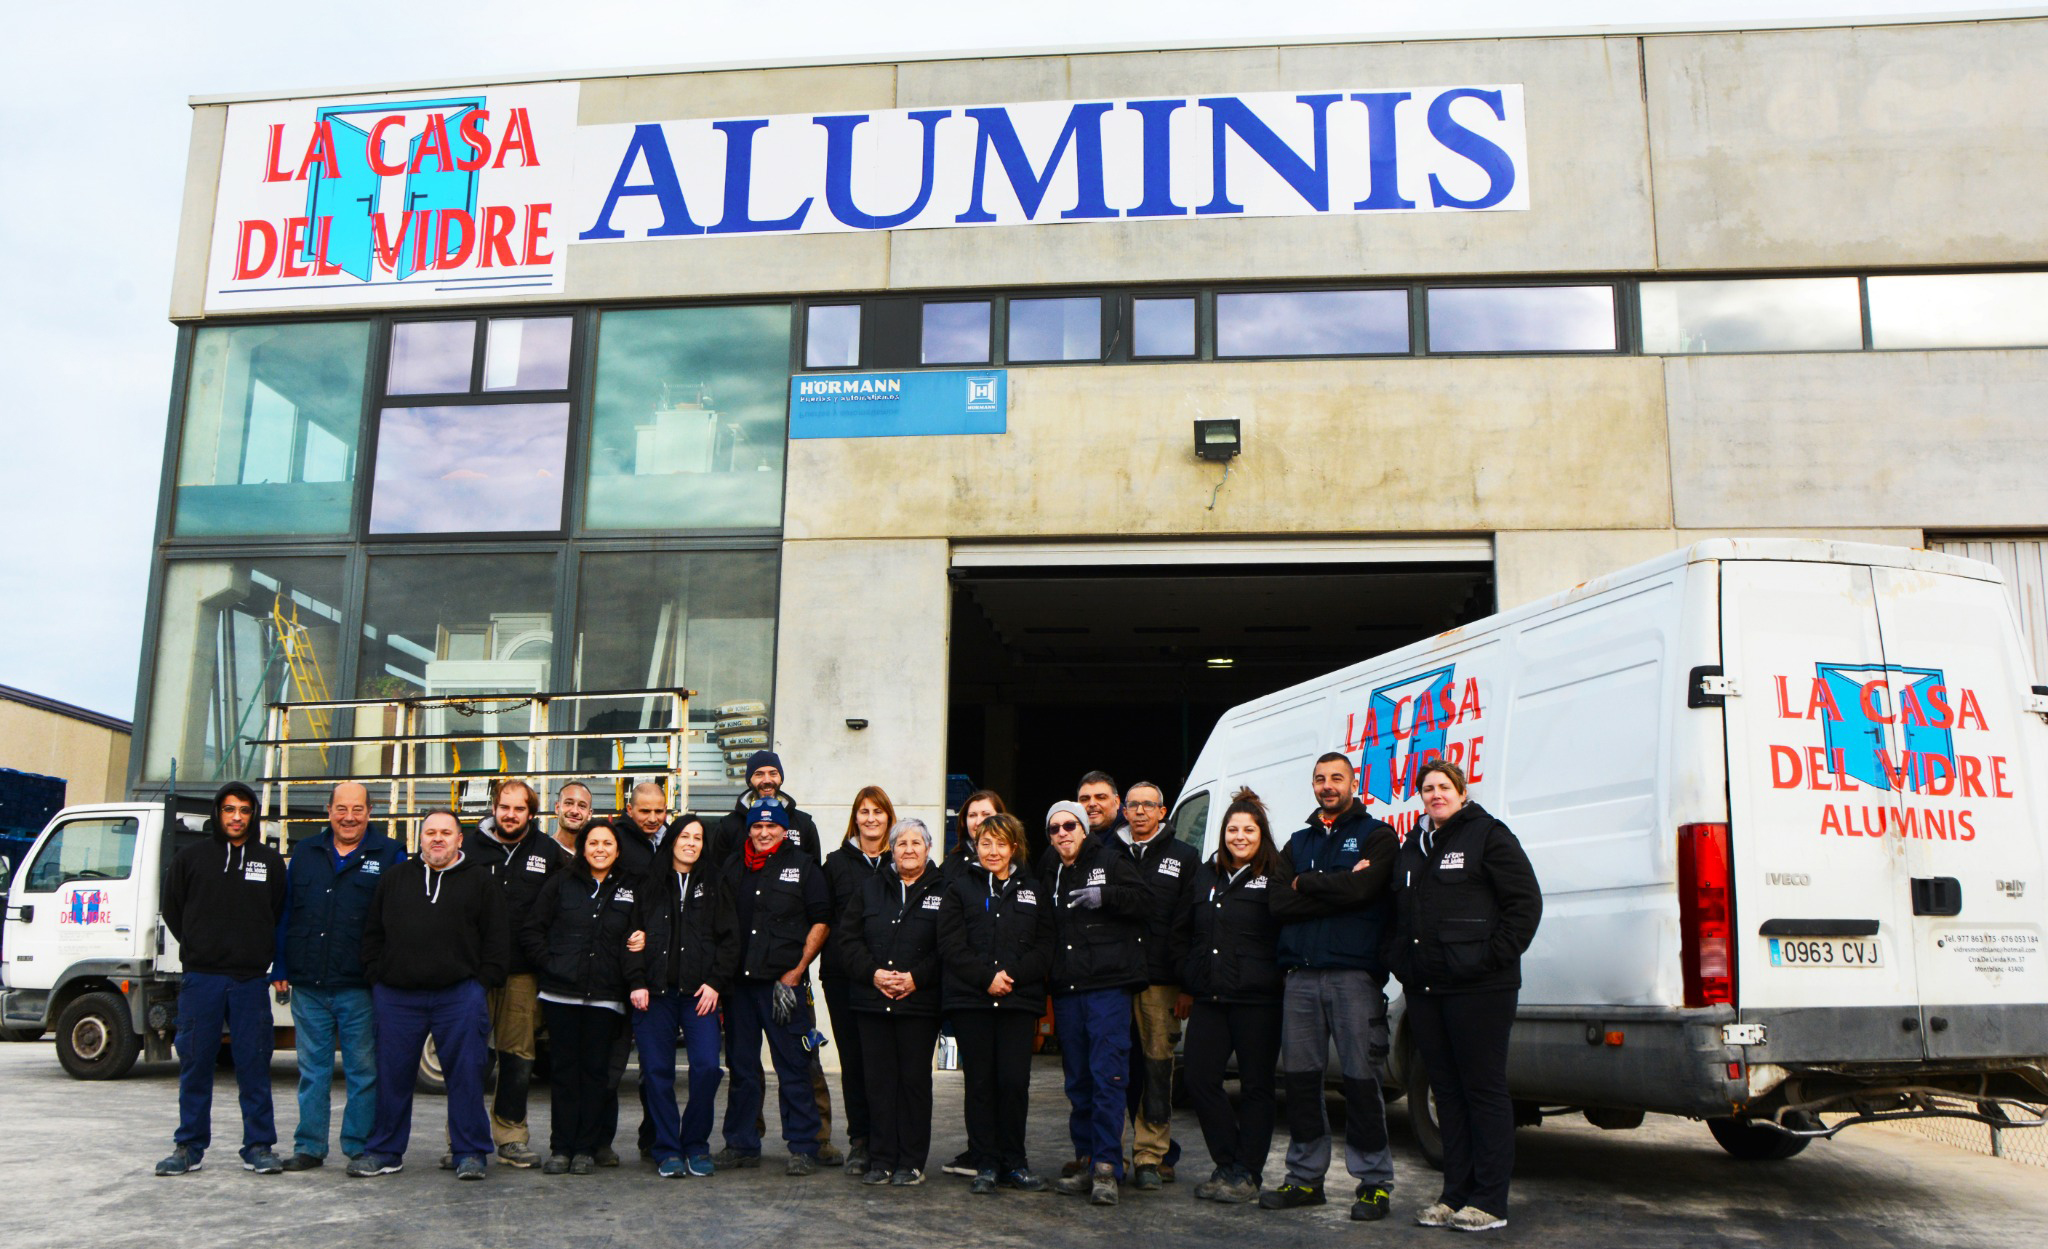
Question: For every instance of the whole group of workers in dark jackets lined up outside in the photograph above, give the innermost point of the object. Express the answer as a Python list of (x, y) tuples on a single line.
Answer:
[(685, 935)]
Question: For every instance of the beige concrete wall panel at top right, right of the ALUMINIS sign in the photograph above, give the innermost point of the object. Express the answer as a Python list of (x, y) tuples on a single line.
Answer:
[(1852, 146)]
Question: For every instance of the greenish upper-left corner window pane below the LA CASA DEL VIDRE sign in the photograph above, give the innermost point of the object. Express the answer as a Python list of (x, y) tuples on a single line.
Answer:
[(271, 421)]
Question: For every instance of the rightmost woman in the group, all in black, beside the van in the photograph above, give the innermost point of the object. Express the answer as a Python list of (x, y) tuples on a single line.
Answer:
[(1467, 906)]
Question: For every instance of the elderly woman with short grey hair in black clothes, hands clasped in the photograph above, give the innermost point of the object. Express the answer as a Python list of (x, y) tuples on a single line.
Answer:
[(888, 941)]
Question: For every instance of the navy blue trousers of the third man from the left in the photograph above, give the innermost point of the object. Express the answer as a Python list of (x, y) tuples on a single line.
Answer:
[(462, 1031)]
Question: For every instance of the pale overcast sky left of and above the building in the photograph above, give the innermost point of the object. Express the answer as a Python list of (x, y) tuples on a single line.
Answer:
[(93, 142)]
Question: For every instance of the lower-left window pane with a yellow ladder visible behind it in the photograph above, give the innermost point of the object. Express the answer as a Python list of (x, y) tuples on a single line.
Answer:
[(230, 638)]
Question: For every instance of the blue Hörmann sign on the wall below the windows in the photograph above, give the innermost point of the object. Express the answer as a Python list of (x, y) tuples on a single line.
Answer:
[(900, 404)]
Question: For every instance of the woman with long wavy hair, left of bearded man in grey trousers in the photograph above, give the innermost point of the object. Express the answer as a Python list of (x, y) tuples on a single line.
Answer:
[(1232, 970)]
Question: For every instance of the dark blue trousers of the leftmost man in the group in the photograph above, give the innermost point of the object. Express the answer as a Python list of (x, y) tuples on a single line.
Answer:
[(206, 1006)]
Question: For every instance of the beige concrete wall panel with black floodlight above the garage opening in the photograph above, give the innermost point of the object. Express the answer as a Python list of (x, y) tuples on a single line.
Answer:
[(1330, 447)]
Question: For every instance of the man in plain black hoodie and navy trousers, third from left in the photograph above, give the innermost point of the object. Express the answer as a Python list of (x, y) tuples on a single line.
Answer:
[(437, 939)]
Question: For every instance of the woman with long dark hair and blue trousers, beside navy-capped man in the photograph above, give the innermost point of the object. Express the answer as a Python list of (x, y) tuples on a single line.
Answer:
[(679, 963)]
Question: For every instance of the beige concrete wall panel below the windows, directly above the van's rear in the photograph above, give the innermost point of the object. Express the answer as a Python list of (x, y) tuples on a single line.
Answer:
[(1867, 439)]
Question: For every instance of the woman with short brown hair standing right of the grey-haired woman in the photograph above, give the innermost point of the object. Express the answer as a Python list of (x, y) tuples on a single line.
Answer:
[(996, 941)]
